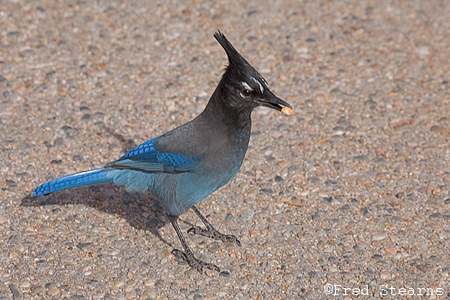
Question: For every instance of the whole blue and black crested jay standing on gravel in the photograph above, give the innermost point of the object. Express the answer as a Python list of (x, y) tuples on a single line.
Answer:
[(185, 165)]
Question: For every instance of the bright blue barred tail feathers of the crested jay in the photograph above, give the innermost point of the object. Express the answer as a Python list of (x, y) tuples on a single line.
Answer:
[(72, 181)]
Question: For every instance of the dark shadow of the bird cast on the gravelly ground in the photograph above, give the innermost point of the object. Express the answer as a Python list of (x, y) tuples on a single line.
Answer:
[(140, 210)]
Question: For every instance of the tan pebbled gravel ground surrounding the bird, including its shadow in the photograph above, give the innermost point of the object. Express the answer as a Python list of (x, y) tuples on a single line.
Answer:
[(352, 191)]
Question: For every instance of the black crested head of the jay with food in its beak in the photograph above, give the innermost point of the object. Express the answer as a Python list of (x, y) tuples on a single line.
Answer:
[(245, 88)]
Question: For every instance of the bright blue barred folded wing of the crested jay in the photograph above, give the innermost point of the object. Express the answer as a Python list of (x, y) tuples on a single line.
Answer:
[(146, 158)]
